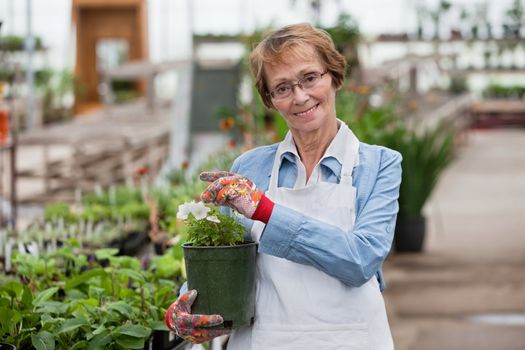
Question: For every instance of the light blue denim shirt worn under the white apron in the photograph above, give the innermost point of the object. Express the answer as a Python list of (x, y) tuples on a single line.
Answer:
[(351, 257)]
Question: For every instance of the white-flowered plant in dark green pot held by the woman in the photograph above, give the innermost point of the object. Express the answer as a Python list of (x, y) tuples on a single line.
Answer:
[(220, 265)]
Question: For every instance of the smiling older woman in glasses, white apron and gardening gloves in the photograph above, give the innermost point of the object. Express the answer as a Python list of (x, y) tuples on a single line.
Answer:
[(322, 206)]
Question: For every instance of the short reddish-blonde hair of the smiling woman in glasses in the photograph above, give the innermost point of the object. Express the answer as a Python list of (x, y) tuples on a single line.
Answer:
[(294, 39)]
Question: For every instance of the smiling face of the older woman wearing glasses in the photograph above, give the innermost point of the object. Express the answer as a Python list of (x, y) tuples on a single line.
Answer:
[(308, 110)]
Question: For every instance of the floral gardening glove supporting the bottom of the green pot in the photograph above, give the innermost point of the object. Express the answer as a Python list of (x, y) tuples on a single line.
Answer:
[(192, 327)]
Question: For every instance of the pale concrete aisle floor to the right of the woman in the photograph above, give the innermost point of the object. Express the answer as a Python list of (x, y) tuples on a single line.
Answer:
[(467, 290)]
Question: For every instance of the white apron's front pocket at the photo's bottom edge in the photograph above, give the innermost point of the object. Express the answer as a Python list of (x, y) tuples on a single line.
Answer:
[(327, 337)]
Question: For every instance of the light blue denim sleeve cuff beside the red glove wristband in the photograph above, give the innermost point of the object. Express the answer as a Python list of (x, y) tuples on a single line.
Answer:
[(280, 231)]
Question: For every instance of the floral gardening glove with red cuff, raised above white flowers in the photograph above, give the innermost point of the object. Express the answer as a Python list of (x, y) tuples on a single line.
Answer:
[(237, 192)]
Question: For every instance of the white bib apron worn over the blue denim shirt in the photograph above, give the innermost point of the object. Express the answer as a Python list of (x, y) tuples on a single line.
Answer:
[(301, 307)]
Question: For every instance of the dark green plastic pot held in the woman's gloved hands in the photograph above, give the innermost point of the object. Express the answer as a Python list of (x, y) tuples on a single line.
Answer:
[(224, 278)]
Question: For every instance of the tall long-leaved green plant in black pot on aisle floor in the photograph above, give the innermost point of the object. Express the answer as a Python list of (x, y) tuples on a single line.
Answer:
[(425, 154)]
